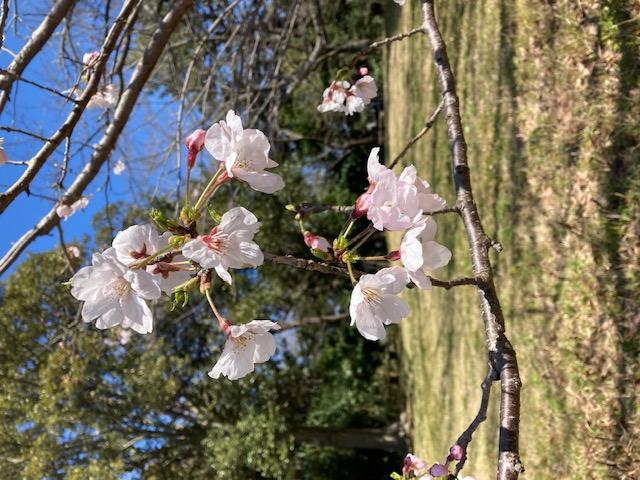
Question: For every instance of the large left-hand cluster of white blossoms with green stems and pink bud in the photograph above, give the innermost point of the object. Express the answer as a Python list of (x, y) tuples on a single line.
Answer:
[(143, 263)]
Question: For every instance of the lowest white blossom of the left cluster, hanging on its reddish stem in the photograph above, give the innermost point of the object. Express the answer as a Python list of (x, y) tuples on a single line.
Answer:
[(246, 345)]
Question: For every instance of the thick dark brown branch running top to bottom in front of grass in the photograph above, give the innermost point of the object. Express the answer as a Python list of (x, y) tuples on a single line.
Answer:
[(501, 353)]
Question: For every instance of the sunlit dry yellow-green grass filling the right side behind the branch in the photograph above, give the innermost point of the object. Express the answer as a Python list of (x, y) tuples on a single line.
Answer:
[(551, 106)]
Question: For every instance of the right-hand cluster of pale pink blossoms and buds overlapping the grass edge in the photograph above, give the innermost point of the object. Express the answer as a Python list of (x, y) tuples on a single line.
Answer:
[(391, 203)]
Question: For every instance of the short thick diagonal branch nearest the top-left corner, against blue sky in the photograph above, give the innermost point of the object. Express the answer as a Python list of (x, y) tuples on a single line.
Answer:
[(39, 37)]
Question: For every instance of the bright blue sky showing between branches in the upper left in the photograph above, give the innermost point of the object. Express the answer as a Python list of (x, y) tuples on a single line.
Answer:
[(41, 112)]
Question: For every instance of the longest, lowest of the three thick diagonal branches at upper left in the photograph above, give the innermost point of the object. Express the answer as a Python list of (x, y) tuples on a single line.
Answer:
[(143, 70)]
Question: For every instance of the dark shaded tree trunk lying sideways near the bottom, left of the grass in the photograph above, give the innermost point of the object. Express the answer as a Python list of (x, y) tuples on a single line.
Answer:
[(388, 438)]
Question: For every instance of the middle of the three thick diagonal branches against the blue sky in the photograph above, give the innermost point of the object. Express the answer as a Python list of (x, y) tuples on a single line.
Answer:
[(65, 130)]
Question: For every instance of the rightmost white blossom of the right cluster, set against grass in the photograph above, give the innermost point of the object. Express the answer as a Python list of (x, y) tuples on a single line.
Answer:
[(419, 252)]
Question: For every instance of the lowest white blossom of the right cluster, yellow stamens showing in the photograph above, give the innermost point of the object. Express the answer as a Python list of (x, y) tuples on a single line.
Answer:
[(375, 302)]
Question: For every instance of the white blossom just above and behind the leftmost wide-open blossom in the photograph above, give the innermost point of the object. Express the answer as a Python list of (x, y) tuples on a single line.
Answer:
[(140, 241)]
